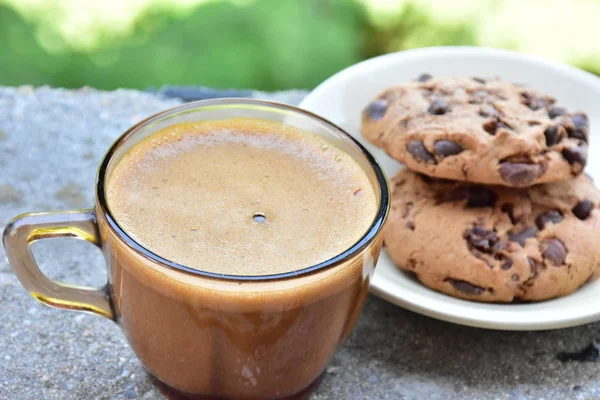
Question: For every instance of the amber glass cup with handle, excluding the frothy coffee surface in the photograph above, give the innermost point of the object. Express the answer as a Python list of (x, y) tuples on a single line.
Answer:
[(201, 334)]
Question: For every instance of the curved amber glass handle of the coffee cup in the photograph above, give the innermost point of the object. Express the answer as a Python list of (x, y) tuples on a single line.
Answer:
[(25, 229)]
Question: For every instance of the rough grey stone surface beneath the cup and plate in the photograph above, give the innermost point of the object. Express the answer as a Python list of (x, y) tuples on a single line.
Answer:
[(51, 142)]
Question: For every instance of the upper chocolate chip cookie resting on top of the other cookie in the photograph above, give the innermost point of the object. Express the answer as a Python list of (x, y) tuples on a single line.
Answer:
[(478, 130)]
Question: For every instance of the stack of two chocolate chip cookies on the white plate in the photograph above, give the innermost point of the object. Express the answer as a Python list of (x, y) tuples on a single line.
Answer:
[(493, 205)]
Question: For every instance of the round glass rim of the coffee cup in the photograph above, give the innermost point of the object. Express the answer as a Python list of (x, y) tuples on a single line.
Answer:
[(370, 234)]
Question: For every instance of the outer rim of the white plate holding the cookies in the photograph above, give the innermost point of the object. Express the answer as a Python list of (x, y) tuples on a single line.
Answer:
[(381, 289)]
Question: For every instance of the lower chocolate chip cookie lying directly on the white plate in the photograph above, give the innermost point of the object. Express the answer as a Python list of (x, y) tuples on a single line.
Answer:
[(494, 243)]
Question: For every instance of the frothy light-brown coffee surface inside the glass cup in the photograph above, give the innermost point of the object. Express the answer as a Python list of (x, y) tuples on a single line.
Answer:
[(241, 197)]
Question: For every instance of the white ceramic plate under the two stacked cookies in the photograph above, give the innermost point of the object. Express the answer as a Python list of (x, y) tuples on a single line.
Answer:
[(341, 99)]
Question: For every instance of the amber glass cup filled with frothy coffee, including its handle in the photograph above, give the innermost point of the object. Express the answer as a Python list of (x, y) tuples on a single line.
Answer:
[(240, 238)]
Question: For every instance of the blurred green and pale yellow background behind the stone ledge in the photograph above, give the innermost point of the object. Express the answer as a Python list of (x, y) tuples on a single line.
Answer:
[(267, 44)]
